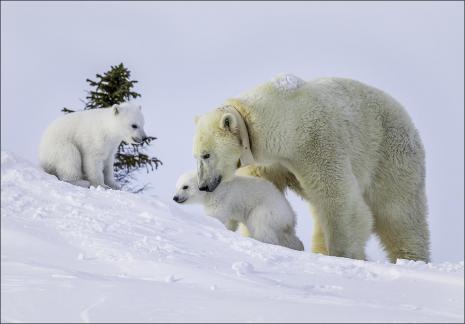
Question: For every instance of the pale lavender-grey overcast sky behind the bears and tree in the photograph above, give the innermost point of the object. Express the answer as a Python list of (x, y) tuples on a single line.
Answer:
[(190, 57)]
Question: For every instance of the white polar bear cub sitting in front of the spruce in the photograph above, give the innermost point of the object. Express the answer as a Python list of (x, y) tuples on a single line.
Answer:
[(80, 148)]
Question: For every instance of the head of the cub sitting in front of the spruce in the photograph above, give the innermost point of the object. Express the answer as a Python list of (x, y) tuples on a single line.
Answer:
[(129, 122)]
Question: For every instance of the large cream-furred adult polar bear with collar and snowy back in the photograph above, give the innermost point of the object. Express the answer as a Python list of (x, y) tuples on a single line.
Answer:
[(349, 149)]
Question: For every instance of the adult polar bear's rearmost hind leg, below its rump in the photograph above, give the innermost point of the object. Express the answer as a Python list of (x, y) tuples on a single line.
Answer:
[(398, 198)]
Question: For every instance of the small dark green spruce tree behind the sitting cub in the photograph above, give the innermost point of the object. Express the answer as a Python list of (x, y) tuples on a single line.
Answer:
[(115, 87)]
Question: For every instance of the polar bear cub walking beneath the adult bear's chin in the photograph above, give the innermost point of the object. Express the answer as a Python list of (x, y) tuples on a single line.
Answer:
[(255, 202)]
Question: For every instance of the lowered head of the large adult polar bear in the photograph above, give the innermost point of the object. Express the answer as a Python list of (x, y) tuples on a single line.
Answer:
[(217, 148)]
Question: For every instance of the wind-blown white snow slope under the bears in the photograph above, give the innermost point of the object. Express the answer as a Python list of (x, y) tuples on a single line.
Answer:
[(74, 254)]
